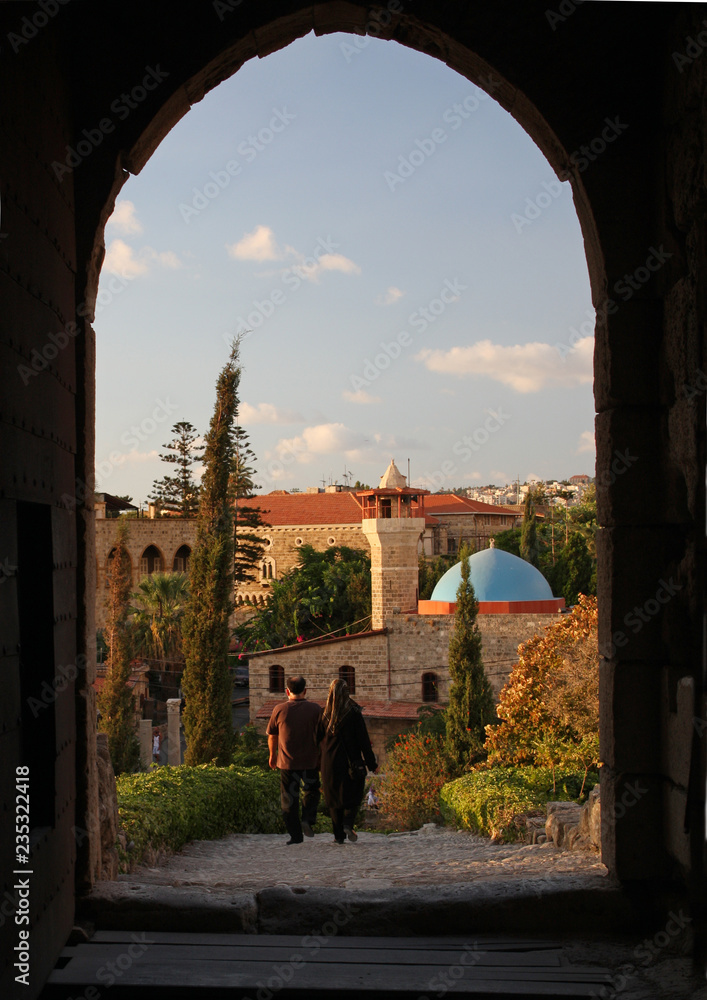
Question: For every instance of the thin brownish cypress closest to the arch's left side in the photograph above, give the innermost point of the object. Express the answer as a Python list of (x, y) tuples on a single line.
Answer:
[(115, 701)]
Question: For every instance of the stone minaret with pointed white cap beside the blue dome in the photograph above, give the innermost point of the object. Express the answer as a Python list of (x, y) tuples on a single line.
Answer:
[(393, 521)]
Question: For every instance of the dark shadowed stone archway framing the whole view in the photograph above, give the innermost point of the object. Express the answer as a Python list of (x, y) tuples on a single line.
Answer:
[(88, 91)]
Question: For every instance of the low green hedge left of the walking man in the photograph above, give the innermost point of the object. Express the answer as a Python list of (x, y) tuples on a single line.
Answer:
[(166, 807)]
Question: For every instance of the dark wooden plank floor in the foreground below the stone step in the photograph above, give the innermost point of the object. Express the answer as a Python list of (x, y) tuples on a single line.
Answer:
[(165, 964)]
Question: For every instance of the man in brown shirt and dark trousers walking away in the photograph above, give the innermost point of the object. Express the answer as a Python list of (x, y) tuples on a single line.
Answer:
[(293, 749)]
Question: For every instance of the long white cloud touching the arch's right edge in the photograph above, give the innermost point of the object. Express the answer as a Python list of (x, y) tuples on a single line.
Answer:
[(523, 367)]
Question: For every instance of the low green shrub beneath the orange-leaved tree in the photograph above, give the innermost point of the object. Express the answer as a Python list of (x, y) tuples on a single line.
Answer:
[(491, 800)]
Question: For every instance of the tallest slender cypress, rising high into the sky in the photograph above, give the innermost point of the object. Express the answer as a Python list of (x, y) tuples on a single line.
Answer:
[(206, 634)]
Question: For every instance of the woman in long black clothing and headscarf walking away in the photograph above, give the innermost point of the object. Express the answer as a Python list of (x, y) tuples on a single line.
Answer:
[(346, 753)]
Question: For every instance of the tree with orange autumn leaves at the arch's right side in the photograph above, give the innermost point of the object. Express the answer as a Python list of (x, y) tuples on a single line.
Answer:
[(549, 707)]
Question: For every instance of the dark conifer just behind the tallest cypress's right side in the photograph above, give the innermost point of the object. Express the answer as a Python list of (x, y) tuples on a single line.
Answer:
[(249, 546)]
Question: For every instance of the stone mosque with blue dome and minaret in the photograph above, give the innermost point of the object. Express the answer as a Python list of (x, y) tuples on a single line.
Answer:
[(402, 663)]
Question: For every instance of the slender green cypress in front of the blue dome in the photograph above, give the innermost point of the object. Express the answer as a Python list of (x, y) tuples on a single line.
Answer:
[(471, 703)]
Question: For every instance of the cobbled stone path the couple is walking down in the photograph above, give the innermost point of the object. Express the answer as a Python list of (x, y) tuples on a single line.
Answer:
[(430, 856)]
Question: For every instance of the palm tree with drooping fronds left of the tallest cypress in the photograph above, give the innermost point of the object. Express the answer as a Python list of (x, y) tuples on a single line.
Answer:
[(156, 615)]
